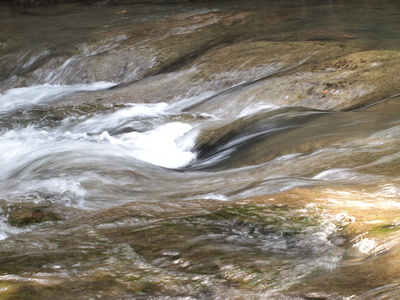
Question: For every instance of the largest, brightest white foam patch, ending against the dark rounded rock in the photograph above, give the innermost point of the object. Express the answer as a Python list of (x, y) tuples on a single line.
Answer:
[(26, 149)]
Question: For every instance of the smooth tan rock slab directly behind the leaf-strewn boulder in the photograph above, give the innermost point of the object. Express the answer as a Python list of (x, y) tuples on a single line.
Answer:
[(218, 70)]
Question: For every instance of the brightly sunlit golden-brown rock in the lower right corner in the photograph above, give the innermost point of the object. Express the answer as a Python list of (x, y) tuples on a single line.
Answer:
[(369, 232)]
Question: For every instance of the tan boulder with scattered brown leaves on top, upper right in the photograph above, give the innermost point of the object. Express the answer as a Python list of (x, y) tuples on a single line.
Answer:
[(352, 81)]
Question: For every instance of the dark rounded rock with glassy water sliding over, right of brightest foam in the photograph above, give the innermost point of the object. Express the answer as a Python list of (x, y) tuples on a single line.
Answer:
[(274, 133)]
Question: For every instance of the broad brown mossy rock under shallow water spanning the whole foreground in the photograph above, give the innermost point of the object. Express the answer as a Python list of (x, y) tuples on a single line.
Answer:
[(300, 243)]
